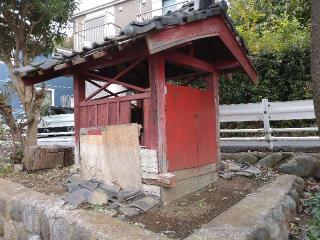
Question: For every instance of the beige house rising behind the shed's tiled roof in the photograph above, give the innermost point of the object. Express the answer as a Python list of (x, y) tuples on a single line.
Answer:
[(106, 20)]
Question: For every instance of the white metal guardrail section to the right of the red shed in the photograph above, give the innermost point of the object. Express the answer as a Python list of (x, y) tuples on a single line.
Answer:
[(268, 111)]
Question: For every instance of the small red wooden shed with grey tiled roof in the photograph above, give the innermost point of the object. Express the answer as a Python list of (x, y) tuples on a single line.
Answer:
[(157, 62)]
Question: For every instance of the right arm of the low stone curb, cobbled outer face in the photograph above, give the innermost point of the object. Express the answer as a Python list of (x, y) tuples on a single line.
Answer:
[(262, 215)]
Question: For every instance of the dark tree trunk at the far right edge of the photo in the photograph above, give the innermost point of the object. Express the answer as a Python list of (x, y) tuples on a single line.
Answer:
[(315, 56)]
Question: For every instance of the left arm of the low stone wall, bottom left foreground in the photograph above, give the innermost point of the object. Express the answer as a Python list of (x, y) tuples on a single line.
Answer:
[(57, 221)]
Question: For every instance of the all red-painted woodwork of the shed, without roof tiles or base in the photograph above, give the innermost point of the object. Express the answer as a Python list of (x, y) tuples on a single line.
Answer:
[(181, 123)]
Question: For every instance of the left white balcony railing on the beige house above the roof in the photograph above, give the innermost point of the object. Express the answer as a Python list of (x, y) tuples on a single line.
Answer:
[(86, 37)]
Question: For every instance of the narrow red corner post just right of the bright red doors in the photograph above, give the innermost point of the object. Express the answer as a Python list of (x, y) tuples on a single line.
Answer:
[(212, 82)]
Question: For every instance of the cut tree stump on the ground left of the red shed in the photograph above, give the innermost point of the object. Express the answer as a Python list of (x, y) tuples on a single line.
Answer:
[(47, 157)]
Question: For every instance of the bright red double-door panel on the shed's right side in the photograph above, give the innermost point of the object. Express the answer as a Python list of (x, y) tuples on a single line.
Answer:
[(191, 127)]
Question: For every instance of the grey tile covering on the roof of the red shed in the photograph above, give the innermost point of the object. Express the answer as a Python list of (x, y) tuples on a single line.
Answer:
[(189, 12)]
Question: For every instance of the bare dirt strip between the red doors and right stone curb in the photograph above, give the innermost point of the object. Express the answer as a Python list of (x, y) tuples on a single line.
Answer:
[(180, 218)]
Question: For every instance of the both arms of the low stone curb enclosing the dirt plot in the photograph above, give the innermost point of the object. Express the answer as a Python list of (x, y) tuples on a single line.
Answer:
[(265, 214)]
